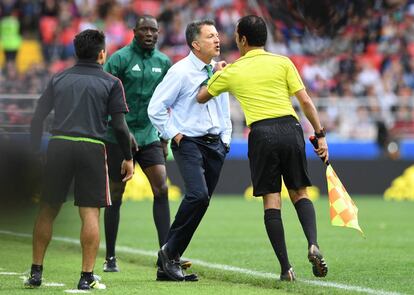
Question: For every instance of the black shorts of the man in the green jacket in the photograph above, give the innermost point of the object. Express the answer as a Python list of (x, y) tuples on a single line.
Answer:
[(147, 156)]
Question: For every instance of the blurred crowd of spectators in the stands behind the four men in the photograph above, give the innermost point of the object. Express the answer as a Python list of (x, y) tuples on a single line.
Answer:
[(356, 57)]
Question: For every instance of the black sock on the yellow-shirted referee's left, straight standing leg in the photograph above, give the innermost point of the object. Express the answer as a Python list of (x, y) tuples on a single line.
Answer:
[(275, 231)]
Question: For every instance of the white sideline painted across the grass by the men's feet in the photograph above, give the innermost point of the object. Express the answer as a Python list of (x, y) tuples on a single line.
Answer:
[(216, 266)]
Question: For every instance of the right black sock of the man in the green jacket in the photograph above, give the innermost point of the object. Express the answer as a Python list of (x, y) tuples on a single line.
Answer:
[(161, 214)]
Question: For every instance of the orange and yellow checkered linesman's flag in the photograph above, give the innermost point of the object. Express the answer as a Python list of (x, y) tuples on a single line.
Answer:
[(342, 208)]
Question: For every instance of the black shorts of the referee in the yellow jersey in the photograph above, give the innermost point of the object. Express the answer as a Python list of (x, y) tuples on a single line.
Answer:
[(276, 150)]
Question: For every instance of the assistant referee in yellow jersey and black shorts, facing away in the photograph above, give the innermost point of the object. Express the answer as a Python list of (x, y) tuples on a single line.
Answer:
[(263, 84)]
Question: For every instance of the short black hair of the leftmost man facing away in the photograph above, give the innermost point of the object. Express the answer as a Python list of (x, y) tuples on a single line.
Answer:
[(89, 43)]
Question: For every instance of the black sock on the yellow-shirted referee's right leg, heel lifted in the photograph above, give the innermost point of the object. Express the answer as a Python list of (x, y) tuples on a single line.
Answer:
[(306, 213)]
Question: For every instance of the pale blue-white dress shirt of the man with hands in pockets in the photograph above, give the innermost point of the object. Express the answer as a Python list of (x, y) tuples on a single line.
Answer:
[(174, 108)]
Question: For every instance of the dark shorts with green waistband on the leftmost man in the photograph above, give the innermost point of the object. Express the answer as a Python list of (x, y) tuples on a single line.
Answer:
[(79, 160)]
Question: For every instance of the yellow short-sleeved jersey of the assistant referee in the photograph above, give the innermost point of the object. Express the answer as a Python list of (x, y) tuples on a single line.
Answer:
[(262, 82)]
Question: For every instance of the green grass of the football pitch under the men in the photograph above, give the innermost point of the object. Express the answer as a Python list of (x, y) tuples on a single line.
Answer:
[(232, 233)]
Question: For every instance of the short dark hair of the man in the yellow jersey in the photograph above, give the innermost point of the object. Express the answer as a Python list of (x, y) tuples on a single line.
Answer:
[(254, 29)]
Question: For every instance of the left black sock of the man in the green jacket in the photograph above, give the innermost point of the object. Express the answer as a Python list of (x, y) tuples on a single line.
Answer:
[(112, 214)]
